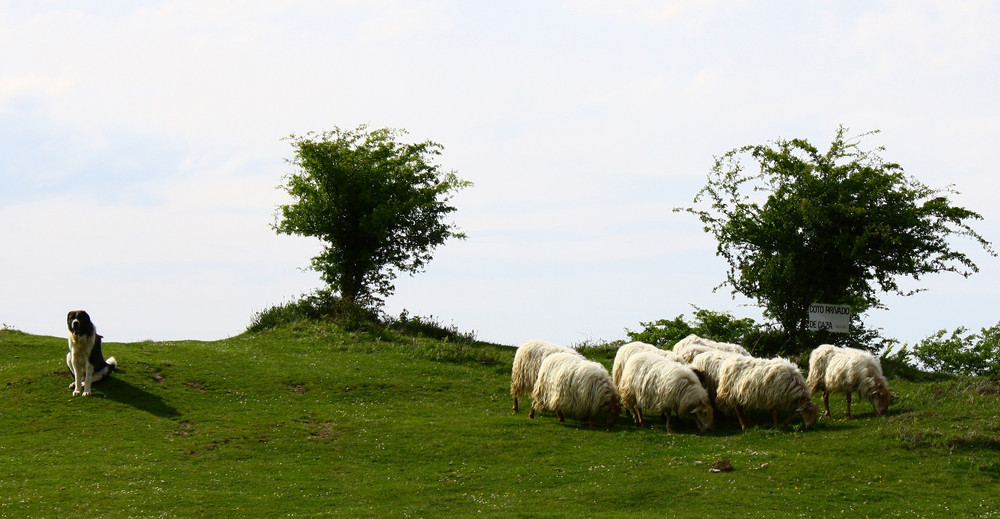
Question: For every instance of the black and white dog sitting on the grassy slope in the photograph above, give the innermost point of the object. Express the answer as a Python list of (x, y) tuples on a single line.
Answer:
[(85, 359)]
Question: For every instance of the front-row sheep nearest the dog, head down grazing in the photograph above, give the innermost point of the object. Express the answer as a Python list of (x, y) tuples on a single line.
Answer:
[(572, 385)]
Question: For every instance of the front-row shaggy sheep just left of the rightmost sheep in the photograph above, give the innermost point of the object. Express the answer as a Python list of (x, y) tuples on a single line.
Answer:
[(766, 384)]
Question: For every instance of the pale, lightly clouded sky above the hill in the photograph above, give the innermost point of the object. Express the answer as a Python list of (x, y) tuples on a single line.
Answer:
[(142, 149)]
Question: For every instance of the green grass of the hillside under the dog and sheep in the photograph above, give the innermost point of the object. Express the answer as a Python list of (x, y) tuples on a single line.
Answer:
[(309, 420)]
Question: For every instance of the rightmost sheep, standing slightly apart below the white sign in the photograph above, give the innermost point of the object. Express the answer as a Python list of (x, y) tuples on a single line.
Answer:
[(833, 369)]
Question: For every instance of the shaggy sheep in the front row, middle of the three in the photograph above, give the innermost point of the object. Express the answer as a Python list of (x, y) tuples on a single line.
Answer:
[(652, 381)]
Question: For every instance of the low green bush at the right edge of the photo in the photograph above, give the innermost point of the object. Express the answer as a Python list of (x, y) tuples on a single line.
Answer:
[(962, 352)]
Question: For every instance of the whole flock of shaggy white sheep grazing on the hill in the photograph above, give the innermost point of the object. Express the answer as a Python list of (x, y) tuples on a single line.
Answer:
[(698, 380)]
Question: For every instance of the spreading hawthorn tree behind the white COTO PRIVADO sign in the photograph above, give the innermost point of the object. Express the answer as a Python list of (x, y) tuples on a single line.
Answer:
[(839, 227)]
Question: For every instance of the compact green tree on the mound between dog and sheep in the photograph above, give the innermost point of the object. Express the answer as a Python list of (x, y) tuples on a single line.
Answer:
[(377, 204)]
